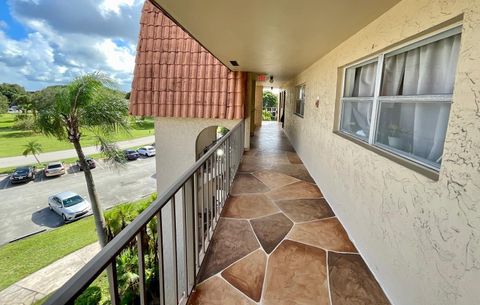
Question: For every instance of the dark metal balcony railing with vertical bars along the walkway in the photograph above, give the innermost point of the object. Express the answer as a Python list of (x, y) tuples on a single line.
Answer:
[(182, 221)]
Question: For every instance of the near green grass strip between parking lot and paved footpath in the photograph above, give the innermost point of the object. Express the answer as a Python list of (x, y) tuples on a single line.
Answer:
[(24, 257)]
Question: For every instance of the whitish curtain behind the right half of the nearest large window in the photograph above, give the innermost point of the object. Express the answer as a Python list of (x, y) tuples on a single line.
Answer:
[(427, 70)]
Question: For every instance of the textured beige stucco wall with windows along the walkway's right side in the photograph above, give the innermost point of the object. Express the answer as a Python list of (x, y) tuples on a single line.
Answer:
[(420, 237)]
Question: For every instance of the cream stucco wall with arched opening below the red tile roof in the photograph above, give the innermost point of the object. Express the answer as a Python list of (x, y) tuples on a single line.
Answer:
[(175, 143)]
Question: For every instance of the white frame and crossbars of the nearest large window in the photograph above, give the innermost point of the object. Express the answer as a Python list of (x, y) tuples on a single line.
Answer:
[(377, 99)]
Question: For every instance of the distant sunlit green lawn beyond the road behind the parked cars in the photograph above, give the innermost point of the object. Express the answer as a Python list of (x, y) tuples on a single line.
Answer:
[(12, 140)]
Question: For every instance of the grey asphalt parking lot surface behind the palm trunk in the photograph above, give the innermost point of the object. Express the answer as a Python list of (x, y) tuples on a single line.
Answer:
[(24, 209)]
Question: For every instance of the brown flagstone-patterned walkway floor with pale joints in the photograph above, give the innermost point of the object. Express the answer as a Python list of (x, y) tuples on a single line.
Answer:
[(278, 241)]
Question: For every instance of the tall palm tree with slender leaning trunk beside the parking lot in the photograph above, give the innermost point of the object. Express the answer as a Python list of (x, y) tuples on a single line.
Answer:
[(87, 103)]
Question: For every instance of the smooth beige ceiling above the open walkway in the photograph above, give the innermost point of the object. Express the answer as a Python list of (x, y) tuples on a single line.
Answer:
[(277, 37)]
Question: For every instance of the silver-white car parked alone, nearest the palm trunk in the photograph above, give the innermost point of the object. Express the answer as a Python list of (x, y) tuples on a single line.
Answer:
[(69, 205)]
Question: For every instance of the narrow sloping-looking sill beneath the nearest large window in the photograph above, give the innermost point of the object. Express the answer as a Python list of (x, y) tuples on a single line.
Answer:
[(416, 167)]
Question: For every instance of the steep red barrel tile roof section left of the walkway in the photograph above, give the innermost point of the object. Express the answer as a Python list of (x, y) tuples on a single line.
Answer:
[(176, 77)]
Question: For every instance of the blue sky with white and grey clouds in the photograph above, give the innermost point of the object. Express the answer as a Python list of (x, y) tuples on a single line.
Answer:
[(50, 42)]
